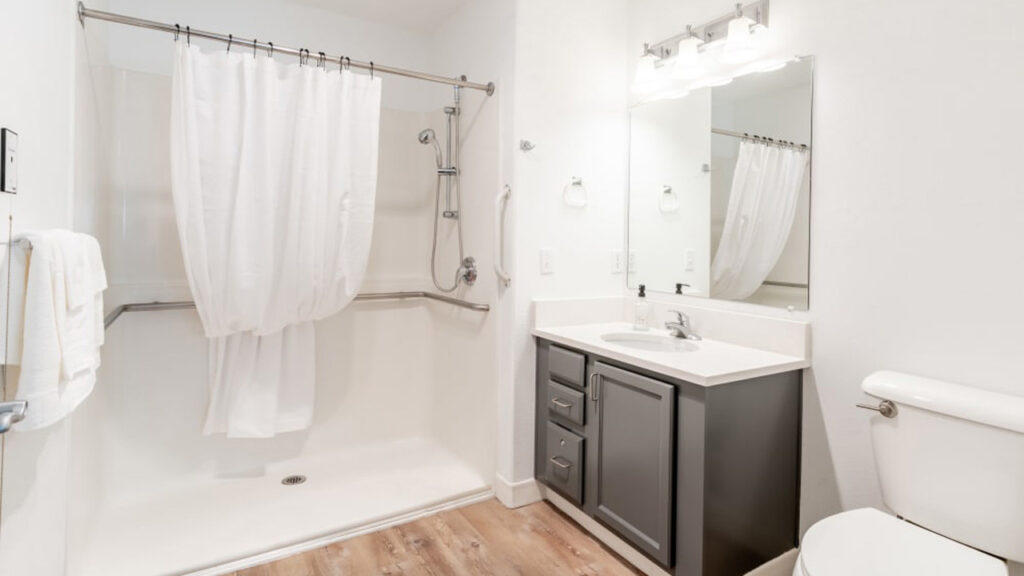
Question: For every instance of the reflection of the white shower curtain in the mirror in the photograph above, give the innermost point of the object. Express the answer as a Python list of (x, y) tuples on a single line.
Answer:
[(762, 207)]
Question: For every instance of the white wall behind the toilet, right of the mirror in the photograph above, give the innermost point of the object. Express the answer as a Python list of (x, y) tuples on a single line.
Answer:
[(918, 218)]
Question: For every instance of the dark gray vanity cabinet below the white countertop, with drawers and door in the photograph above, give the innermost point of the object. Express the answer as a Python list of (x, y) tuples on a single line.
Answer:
[(703, 480)]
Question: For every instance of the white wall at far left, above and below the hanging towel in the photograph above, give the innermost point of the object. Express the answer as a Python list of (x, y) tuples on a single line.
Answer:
[(38, 62)]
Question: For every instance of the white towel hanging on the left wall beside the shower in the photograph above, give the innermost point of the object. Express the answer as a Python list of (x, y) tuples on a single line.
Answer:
[(63, 328)]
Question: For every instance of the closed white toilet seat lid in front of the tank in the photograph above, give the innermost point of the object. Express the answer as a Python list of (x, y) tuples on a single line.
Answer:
[(869, 543)]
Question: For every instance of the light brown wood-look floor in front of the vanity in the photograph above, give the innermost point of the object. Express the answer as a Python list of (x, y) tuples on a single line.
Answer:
[(482, 540)]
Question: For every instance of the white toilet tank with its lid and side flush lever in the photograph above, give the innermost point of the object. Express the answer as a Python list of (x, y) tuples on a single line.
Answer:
[(953, 460)]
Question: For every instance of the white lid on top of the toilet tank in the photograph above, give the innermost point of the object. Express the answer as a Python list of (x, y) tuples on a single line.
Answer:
[(996, 409)]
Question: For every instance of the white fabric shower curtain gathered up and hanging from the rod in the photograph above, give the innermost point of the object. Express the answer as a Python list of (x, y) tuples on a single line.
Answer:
[(274, 179)]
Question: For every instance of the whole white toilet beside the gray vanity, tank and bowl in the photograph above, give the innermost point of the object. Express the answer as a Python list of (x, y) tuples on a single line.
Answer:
[(951, 462)]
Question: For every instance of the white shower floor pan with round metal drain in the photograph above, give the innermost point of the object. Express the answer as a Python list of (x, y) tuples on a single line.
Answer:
[(235, 523)]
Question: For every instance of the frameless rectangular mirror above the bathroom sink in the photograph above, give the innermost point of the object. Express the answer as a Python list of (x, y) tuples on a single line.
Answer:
[(720, 183)]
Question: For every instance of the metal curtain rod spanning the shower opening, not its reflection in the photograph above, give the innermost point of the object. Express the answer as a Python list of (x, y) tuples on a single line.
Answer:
[(271, 49)]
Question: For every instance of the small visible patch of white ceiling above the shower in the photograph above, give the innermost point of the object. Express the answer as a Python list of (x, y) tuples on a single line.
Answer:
[(421, 16)]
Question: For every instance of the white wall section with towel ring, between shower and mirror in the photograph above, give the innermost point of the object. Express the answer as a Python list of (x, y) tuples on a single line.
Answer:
[(571, 101)]
